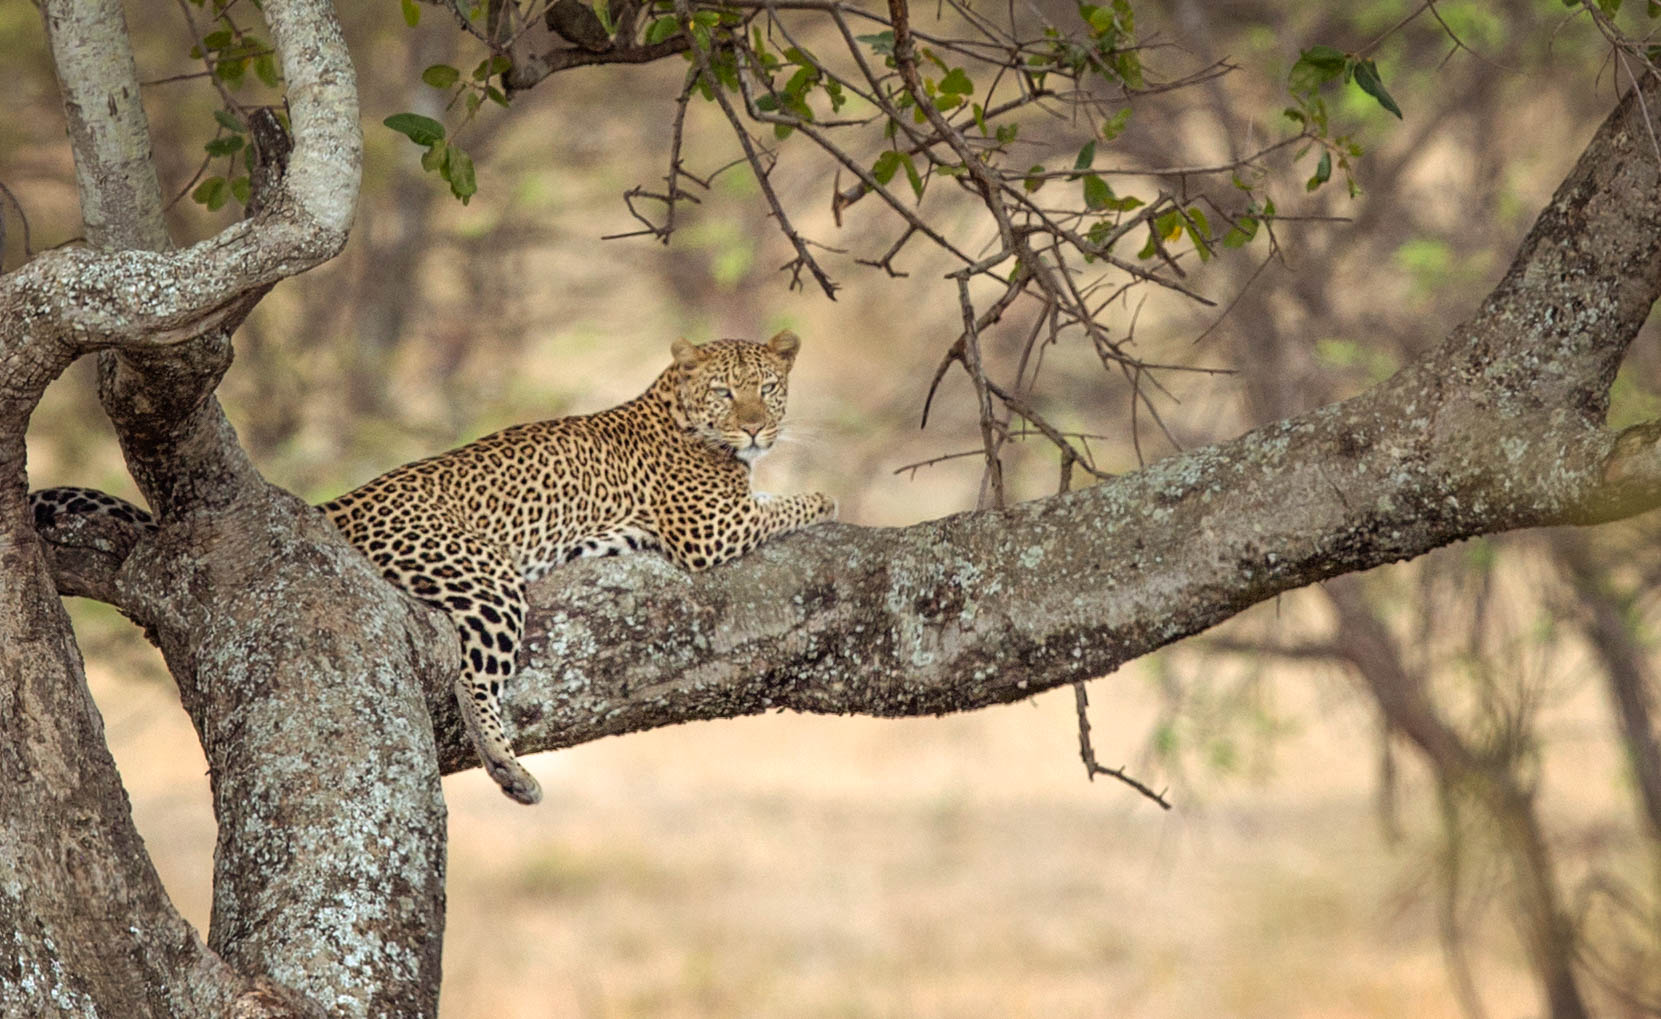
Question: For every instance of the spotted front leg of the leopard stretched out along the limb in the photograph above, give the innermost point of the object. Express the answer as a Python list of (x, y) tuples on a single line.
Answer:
[(738, 526)]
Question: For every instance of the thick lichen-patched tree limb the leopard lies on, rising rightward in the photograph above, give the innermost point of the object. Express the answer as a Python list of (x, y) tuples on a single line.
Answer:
[(1499, 428)]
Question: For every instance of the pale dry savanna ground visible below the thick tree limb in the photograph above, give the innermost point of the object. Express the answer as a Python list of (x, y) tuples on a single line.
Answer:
[(956, 867)]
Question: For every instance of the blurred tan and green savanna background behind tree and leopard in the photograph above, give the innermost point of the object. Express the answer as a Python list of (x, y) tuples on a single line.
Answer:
[(1316, 864)]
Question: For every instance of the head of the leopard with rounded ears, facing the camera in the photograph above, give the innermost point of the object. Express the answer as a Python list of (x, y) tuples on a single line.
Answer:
[(732, 391)]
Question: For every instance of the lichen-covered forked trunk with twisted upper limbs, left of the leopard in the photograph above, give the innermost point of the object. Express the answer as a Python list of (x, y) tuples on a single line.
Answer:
[(323, 902)]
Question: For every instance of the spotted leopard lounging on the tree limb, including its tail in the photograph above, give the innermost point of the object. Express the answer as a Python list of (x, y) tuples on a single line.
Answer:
[(469, 529)]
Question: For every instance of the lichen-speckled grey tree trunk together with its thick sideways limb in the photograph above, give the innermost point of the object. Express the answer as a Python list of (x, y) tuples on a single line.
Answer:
[(323, 697)]
